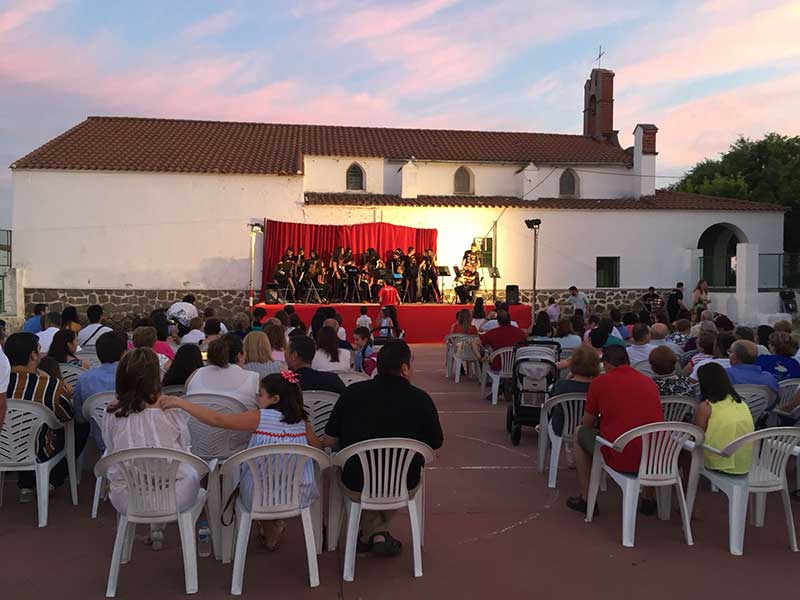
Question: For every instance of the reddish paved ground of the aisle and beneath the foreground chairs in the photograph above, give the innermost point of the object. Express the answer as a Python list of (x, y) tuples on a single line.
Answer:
[(494, 530)]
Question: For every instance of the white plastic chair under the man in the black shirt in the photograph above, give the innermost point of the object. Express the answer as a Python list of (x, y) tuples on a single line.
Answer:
[(385, 464)]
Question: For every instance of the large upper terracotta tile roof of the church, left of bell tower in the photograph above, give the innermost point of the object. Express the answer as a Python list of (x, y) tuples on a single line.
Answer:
[(136, 144)]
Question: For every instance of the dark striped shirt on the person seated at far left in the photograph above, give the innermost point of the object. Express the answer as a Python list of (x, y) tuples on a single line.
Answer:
[(46, 390)]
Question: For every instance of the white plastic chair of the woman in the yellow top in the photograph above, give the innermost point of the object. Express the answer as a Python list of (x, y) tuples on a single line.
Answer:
[(771, 451)]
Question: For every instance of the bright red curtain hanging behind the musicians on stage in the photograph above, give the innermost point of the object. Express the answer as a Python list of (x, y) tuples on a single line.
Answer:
[(384, 237)]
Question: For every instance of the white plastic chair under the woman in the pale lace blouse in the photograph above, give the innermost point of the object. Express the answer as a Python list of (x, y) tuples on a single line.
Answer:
[(150, 475)]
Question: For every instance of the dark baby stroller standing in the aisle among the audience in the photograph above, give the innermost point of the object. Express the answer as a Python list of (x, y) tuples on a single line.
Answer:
[(534, 372)]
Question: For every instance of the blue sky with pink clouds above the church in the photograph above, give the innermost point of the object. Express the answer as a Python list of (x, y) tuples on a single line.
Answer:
[(704, 71)]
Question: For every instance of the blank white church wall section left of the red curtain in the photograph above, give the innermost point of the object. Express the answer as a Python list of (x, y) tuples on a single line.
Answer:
[(143, 230)]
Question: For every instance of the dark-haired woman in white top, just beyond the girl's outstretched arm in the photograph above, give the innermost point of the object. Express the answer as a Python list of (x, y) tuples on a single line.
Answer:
[(224, 374)]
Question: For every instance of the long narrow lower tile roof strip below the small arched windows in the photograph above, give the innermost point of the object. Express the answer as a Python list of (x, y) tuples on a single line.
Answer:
[(662, 200)]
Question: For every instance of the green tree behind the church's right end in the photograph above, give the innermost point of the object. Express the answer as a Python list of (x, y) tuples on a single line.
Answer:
[(764, 170)]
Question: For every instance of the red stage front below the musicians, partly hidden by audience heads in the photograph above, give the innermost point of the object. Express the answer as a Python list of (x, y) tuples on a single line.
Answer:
[(422, 323)]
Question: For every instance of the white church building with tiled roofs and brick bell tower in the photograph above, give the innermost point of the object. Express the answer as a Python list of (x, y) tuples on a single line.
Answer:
[(125, 211)]
